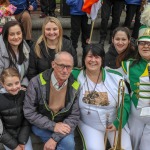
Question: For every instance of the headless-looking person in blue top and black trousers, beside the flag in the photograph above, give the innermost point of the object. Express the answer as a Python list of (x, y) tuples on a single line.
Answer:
[(79, 22)]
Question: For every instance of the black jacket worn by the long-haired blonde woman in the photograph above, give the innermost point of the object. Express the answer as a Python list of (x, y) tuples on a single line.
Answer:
[(38, 65)]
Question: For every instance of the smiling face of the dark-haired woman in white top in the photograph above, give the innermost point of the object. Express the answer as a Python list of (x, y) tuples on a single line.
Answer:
[(93, 63)]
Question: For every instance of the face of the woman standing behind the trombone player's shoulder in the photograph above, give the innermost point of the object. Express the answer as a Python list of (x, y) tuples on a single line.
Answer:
[(120, 41)]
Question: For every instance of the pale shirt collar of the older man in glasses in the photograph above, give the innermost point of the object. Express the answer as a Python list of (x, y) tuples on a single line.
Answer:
[(56, 84)]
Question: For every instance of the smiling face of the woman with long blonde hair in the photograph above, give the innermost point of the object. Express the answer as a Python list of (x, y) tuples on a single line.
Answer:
[(51, 31)]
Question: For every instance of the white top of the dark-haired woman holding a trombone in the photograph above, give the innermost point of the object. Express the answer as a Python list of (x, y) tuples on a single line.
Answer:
[(96, 115)]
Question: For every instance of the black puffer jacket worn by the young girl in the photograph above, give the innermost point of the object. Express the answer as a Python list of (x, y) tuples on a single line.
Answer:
[(16, 127)]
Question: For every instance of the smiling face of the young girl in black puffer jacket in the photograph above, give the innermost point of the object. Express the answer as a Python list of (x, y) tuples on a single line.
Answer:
[(12, 85)]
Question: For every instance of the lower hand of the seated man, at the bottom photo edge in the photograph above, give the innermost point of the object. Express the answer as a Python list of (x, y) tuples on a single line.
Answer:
[(50, 145)]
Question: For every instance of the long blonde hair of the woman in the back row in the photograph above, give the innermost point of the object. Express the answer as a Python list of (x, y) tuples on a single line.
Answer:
[(43, 38)]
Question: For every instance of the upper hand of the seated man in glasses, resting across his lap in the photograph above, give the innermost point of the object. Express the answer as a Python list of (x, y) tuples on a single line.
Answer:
[(62, 128)]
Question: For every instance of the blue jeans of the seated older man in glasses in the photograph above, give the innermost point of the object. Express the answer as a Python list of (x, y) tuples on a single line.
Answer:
[(67, 143)]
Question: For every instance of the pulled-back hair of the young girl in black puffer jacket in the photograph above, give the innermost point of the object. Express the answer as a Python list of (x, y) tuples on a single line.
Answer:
[(9, 72)]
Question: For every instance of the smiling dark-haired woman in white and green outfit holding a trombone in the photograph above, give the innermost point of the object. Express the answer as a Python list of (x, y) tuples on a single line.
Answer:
[(98, 100)]
